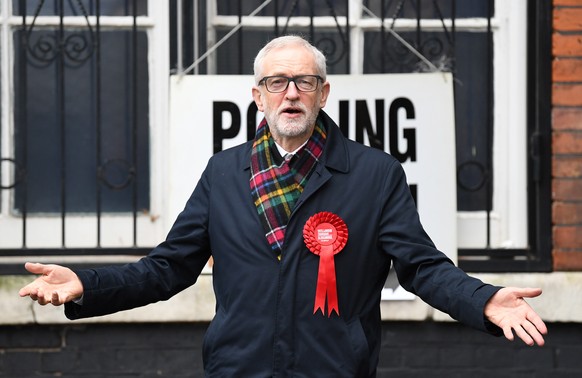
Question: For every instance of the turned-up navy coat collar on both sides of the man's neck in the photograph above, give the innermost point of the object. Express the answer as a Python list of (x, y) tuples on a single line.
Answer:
[(335, 153)]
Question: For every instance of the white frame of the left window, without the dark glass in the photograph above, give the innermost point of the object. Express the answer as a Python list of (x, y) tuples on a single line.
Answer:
[(41, 235)]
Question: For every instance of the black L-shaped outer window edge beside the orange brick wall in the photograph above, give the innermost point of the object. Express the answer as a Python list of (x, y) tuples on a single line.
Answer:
[(537, 256)]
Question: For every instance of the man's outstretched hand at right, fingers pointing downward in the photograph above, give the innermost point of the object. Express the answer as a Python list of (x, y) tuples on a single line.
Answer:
[(508, 310)]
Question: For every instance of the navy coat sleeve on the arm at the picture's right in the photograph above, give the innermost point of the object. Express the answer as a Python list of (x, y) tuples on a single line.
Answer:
[(420, 267)]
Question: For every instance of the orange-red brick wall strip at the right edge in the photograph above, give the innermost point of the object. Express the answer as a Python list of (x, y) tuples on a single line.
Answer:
[(567, 135)]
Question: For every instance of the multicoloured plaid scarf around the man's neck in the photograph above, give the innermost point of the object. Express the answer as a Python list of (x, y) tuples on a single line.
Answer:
[(277, 183)]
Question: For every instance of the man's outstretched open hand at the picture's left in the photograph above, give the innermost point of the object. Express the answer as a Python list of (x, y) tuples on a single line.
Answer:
[(56, 284)]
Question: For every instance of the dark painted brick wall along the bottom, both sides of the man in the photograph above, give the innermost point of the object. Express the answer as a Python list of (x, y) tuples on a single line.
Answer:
[(409, 349)]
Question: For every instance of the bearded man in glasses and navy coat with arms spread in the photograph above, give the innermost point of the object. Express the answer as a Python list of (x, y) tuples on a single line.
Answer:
[(303, 225)]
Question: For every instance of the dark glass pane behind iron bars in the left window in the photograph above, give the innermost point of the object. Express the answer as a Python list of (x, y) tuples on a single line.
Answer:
[(45, 144)]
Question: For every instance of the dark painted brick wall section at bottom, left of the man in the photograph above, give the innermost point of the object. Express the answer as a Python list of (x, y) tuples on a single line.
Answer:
[(102, 350)]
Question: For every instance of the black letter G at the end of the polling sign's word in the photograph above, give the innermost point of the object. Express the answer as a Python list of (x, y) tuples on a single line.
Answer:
[(409, 133)]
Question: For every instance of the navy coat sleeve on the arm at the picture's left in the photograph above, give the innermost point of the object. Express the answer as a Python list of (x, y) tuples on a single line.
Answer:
[(171, 267)]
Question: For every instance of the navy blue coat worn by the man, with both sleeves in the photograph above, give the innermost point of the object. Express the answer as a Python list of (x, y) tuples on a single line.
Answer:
[(264, 324)]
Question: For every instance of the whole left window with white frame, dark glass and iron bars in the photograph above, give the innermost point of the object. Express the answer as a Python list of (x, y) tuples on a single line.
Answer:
[(78, 132)]
